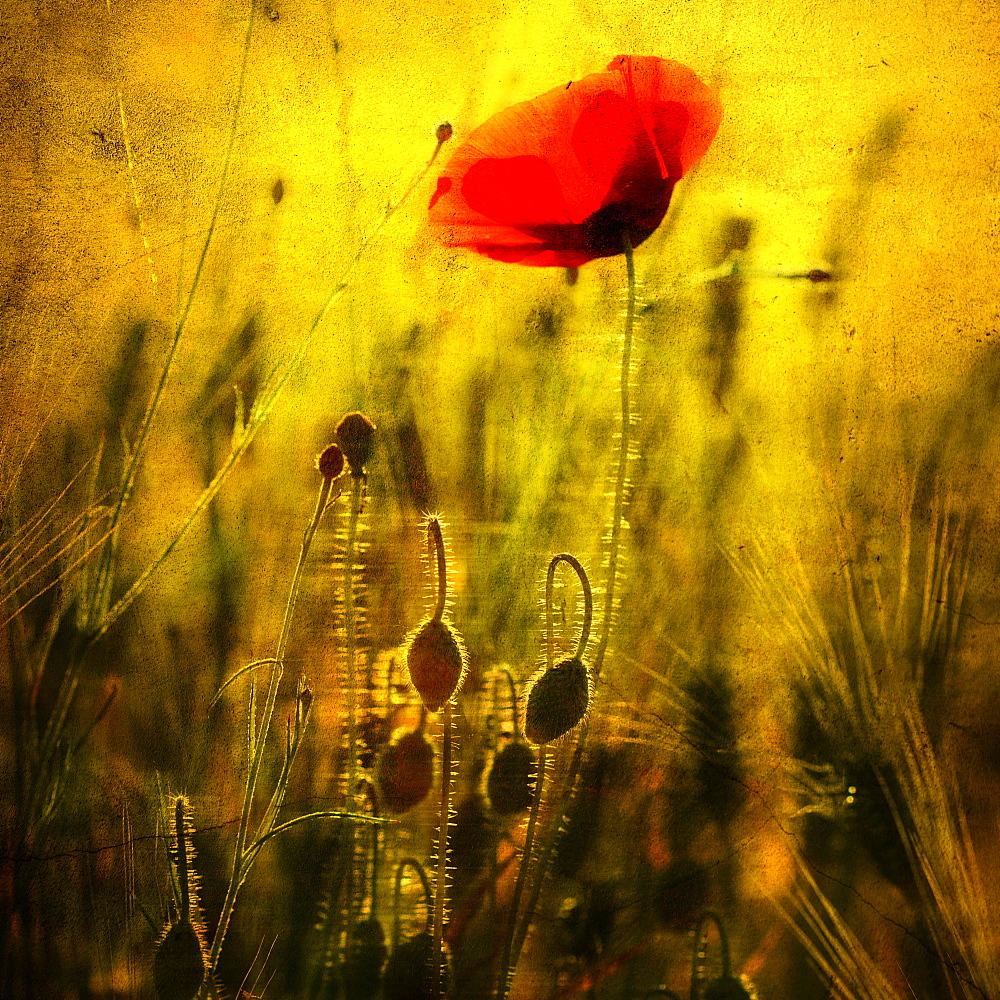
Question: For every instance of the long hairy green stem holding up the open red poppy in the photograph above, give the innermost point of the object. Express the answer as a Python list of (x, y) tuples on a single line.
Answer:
[(569, 785)]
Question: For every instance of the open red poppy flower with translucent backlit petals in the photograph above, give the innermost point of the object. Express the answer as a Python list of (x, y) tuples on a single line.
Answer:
[(560, 180)]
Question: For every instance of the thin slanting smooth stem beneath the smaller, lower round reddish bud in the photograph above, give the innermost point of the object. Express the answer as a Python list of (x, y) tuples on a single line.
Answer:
[(243, 856)]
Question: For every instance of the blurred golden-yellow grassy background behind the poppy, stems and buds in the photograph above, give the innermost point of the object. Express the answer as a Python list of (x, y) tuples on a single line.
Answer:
[(804, 414)]
